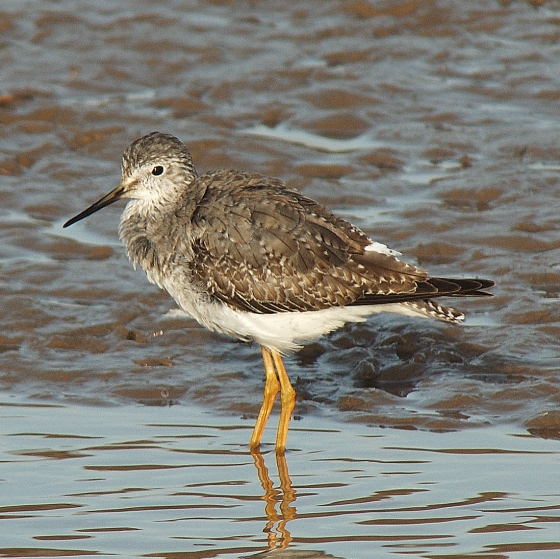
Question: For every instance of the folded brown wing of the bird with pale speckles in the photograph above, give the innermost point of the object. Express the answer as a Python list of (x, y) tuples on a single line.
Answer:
[(261, 247)]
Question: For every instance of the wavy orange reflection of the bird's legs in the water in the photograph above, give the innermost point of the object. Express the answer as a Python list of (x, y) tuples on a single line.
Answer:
[(279, 536)]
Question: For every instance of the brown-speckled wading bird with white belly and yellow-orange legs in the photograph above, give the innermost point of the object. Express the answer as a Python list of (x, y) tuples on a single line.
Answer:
[(249, 257)]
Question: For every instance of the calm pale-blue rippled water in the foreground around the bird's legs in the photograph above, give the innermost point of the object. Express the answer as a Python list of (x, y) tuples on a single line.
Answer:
[(176, 482)]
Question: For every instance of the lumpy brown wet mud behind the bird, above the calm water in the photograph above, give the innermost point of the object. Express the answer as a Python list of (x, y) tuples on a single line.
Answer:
[(431, 125)]
